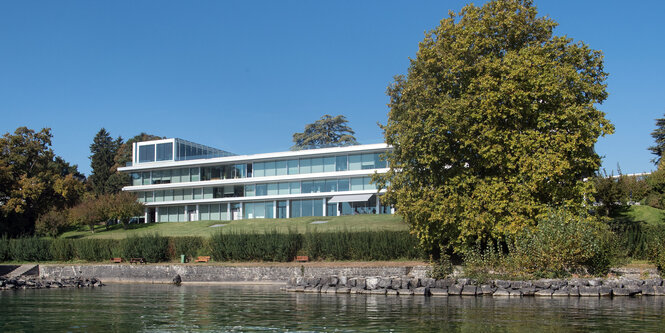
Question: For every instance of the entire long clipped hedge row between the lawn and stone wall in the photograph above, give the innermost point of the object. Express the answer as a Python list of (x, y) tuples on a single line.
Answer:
[(273, 246)]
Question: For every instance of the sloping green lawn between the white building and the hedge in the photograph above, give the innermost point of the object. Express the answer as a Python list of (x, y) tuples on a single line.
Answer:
[(204, 228)]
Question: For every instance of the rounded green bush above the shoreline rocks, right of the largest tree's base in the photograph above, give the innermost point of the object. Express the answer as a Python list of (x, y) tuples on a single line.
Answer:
[(563, 244)]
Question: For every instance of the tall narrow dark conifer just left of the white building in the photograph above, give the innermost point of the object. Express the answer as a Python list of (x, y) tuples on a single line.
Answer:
[(103, 151)]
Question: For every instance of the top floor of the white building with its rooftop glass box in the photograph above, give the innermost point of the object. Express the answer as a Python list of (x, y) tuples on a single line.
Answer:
[(170, 165)]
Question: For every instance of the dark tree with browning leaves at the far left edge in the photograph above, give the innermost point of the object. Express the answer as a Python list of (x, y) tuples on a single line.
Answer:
[(33, 180)]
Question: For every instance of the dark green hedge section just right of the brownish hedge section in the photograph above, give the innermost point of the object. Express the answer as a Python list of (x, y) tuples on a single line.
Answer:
[(271, 246)]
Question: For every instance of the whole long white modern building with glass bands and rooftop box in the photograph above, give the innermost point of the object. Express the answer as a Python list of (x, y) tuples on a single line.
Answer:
[(183, 181)]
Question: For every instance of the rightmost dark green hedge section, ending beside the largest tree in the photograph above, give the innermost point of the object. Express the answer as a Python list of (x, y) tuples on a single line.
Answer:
[(366, 245)]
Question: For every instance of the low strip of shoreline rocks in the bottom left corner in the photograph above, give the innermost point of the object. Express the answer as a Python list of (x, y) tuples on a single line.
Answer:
[(35, 282)]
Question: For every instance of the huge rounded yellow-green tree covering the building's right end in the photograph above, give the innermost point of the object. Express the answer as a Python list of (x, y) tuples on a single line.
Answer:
[(495, 122)]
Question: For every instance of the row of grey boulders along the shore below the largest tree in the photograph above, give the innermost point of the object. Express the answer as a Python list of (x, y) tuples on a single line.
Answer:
[(406, 285)]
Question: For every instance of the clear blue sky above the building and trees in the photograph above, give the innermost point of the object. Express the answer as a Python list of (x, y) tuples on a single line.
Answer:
[(245, 75)]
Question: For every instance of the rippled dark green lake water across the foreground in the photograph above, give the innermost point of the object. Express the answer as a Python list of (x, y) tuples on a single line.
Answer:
[(130, 308)]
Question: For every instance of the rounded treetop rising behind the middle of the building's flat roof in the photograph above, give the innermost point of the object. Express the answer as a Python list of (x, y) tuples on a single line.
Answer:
[(328, 131)]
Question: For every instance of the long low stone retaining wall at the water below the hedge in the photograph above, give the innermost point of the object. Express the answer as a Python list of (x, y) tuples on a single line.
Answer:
[(164, 273)]
